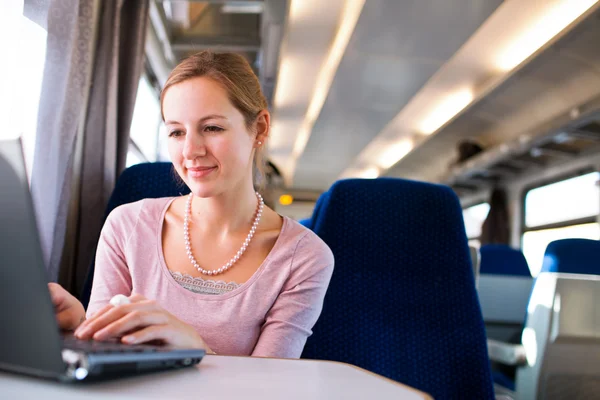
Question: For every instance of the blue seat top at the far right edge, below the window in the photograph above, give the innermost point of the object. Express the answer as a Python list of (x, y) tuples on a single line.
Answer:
[(573, 256)]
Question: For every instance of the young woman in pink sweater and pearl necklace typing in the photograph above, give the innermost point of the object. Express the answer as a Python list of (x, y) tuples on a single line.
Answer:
[(216, 269)]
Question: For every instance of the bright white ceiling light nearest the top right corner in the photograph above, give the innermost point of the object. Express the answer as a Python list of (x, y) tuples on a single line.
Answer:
[(539, 32)]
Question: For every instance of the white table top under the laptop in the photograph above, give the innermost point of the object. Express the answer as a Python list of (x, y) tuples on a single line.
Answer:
[(222, 377)]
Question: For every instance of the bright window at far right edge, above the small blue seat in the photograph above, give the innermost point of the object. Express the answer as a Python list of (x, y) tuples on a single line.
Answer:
[(565, 209)]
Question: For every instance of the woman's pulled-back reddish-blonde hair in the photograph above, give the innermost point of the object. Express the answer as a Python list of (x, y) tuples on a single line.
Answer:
[(235, 74)]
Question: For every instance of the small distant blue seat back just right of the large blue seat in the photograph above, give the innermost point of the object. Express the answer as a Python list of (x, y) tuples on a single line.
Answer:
[(499, 259)]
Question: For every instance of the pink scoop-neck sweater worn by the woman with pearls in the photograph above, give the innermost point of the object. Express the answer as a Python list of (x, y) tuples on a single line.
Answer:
[(270, 315)]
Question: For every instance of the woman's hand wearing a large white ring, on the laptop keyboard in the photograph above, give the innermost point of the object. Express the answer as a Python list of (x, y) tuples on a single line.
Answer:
[(138, 322)]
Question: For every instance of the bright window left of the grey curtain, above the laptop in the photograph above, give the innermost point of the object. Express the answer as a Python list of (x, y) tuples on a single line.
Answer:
[(23, 49)]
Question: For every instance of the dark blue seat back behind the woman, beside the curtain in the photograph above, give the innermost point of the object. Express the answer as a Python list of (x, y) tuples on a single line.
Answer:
[(141, 181)]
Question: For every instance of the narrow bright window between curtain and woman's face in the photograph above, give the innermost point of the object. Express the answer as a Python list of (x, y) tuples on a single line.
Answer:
[(144, 125)]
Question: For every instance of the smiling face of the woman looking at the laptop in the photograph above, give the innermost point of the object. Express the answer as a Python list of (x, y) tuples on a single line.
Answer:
[(209, 143)]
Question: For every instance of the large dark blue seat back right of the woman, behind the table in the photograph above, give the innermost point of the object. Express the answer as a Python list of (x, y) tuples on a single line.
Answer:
[(402, 299)]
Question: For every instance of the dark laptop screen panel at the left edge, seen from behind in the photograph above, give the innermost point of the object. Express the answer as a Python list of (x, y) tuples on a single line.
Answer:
[(29, 333)]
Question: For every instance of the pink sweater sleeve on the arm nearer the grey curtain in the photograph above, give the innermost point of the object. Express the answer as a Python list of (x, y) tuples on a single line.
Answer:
[(111, 273)]
